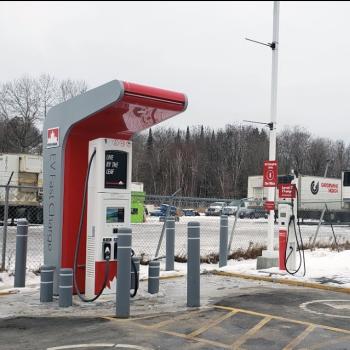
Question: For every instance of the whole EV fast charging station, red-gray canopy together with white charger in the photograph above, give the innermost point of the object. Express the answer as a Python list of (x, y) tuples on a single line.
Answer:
[(87, 176)]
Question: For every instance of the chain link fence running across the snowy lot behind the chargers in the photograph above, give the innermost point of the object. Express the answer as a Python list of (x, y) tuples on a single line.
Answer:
[(250, 229)]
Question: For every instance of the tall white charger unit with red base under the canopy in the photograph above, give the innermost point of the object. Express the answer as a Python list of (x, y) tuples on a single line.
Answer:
[(109, 208)]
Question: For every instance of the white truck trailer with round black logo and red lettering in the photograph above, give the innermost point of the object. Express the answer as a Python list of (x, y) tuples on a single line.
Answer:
[(313, 193)]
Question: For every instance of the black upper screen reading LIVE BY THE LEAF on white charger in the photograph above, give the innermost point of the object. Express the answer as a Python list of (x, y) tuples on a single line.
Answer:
[(116, 169)]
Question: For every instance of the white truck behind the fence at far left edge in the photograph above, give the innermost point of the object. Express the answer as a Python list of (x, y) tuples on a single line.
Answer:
[(23, 173)]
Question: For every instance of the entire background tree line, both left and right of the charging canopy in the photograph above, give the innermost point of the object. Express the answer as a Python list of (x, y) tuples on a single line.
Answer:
[(202, 161)]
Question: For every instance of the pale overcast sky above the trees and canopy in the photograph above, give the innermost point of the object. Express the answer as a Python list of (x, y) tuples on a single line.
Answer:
[(197, 48)]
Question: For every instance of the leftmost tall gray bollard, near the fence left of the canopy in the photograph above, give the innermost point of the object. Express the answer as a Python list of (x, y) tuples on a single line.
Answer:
[(21, 252)]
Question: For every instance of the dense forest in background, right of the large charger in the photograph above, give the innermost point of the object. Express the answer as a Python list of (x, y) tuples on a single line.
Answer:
[(204, 162)]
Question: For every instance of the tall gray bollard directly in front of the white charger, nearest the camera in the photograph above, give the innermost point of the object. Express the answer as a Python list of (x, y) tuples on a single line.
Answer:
[(124, 268)]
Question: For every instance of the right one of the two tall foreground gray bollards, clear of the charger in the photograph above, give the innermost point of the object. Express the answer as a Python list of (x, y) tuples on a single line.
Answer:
[(193, 264)]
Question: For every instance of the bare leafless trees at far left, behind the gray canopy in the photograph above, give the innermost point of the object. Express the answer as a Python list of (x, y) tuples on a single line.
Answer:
[(24, 104)]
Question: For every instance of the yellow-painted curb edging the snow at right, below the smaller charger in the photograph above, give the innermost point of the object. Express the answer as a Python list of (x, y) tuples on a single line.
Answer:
[(284, 281)]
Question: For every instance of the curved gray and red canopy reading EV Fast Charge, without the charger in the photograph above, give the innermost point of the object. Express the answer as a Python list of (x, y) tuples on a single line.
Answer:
[(116, 110)]
